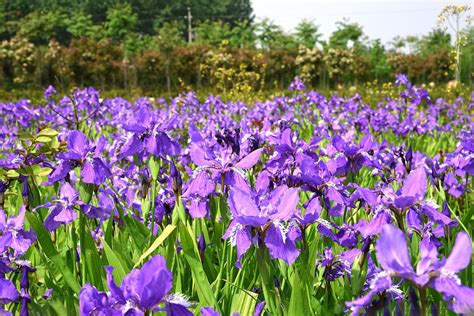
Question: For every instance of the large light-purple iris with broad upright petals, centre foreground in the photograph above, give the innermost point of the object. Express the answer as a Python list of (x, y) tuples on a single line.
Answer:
[(268, 215)]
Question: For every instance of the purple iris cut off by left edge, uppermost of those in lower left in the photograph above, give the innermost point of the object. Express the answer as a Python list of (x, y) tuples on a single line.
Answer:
[(13, 235)]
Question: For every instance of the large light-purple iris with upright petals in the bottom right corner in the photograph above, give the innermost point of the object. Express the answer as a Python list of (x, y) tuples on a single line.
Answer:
[(441, 275)]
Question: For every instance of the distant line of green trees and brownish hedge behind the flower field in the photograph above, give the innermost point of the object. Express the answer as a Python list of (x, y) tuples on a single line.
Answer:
[(143, 43)]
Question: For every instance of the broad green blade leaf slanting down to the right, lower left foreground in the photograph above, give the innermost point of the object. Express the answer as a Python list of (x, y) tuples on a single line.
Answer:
[(51, 253)]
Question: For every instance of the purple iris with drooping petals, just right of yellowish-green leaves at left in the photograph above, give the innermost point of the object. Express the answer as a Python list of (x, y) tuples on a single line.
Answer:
[(85, 154)]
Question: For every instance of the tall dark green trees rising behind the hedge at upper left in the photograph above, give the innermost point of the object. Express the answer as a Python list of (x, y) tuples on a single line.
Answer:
[(118, 17)]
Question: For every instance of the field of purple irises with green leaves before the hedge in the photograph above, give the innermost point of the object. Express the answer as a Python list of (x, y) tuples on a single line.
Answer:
[(299, 205)]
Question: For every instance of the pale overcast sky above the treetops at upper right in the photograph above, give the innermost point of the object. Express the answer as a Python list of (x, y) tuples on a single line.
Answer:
[(382, 19)]
